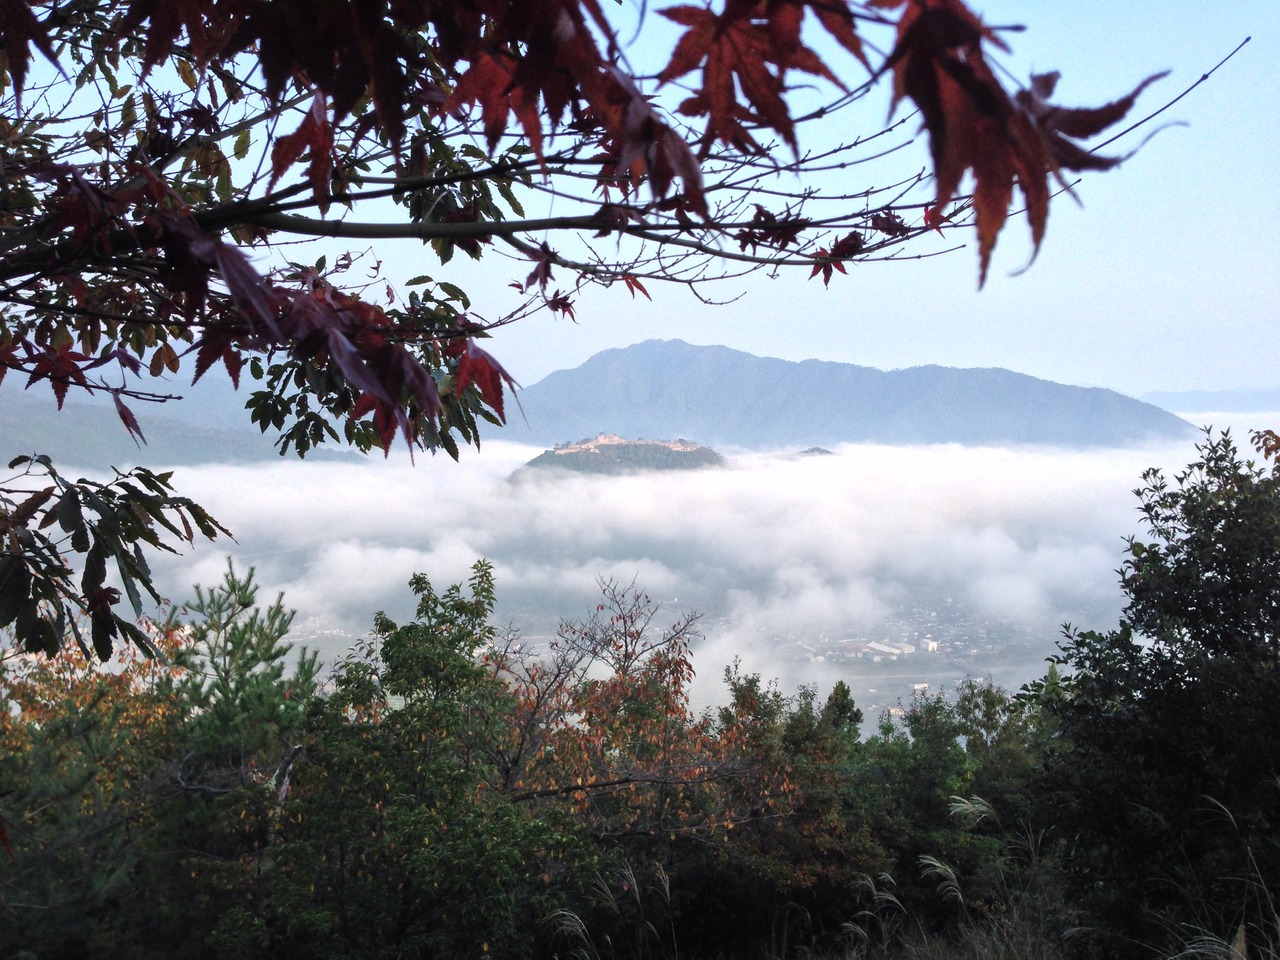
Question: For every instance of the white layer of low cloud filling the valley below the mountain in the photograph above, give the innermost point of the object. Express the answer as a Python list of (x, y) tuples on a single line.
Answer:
[(767, 547)]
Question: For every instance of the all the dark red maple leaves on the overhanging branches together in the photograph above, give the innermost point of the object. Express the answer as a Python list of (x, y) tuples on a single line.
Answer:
[(545, 65)]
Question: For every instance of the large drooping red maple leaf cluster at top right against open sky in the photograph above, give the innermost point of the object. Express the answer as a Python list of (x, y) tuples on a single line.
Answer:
[(975, 125)]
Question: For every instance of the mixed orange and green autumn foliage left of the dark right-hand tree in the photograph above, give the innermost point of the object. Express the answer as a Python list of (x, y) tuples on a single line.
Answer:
[(446, 790)]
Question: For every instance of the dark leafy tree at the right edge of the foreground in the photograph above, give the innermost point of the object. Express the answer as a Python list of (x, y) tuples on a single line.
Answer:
[(1167, 729)]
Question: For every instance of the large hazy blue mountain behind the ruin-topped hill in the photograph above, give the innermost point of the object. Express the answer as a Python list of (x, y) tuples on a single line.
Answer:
[(721, 396)]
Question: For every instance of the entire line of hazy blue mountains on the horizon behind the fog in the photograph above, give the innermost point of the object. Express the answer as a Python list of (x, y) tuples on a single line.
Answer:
[(660, 391)]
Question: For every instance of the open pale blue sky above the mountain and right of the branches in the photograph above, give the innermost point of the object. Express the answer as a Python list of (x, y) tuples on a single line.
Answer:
[(1164, 277)]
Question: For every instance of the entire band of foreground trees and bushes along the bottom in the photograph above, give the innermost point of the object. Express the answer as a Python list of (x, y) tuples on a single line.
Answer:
[(447, 794)]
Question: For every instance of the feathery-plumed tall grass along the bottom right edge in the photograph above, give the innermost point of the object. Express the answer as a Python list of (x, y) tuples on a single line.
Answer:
[(1012, 907)]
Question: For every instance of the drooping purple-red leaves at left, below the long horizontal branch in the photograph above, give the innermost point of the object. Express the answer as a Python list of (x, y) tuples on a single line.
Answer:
[(316, 323)]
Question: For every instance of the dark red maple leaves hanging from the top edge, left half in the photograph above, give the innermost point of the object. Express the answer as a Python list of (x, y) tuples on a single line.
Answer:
[(534, 62)]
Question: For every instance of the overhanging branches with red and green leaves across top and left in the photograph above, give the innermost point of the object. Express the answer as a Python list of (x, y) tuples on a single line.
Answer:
[(163, 159)]
